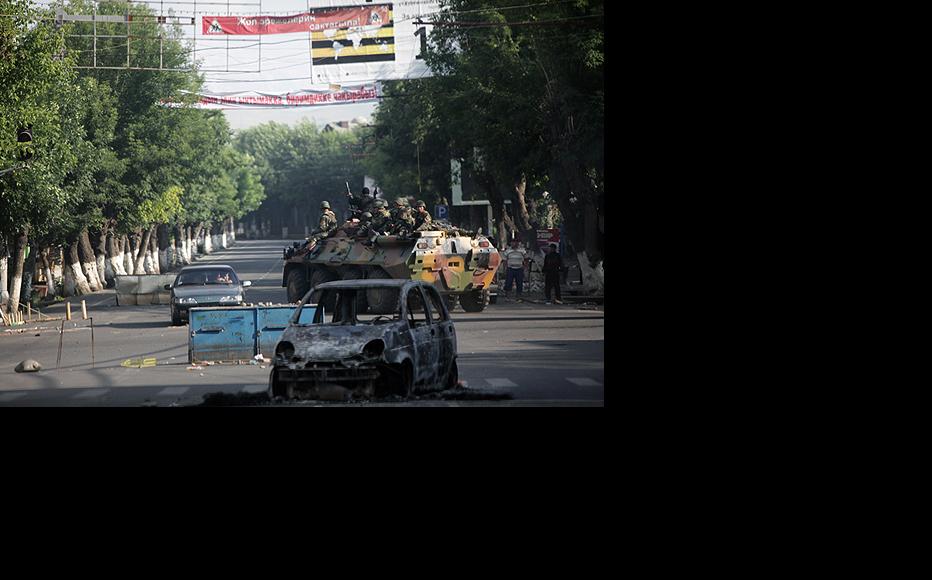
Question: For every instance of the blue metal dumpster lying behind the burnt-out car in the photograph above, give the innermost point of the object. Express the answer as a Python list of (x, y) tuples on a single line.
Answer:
[(239, 332)]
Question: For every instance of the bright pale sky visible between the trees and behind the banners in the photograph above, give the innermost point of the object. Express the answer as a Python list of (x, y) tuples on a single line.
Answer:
[(278, 63)]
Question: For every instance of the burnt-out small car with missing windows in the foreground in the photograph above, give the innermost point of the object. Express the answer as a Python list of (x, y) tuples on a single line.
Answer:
[(381, 337)]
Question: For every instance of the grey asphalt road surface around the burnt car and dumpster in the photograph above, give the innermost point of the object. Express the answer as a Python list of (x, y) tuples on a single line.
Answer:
[(546, 355)]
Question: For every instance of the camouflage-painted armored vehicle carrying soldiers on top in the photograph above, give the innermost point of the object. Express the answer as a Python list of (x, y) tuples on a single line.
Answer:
[(460, 266)]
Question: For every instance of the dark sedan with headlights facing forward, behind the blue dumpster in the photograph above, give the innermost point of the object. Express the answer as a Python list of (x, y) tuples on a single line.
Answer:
[(214, 285)]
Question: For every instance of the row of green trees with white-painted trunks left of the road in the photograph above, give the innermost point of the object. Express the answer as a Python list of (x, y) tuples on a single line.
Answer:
[(118, 183)]
